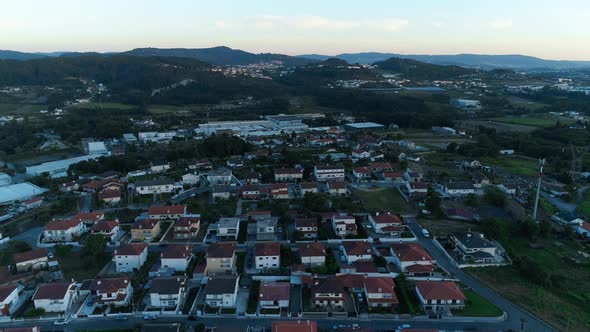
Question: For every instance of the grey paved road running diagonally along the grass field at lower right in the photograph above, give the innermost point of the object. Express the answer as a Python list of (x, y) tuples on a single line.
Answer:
[(514, 312)]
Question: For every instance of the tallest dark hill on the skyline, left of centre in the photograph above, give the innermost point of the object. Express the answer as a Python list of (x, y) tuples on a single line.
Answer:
[(220, 55)]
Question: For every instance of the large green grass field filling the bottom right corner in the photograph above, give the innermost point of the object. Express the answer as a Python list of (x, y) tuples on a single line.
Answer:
[(563, 300)]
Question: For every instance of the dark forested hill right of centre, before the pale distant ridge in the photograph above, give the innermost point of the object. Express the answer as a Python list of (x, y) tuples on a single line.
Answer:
[(416, 70)]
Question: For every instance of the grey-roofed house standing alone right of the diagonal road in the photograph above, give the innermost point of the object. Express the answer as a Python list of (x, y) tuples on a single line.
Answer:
[(473, 246)]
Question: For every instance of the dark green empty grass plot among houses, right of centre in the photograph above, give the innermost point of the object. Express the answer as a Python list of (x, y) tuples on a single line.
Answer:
[(381, 199)]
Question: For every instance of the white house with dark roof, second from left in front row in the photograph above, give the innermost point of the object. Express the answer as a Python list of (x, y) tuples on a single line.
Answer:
[(55, 296)]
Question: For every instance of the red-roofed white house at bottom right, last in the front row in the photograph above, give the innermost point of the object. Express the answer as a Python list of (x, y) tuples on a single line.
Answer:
[(440, 297)]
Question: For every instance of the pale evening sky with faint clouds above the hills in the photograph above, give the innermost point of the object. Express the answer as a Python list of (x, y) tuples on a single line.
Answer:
[(545, 28)]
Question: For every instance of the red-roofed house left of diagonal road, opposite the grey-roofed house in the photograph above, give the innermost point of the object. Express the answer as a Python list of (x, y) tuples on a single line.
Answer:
[(412, 259)]
